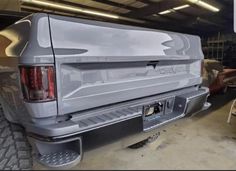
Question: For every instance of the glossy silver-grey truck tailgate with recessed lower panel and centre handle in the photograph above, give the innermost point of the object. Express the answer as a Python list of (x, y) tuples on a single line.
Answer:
[(99, 63)]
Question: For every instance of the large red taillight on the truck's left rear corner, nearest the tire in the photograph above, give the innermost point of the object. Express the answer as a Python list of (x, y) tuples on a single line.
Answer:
[(37, 83)]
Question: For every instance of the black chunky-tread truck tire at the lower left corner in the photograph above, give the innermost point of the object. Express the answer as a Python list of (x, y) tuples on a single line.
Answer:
[(15, 150)]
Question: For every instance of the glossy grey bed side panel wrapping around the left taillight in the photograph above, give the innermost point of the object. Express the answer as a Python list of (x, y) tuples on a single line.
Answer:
[(26, 42)]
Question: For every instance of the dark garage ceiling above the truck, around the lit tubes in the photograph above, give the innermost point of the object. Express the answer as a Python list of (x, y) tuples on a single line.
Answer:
[(194, 19)]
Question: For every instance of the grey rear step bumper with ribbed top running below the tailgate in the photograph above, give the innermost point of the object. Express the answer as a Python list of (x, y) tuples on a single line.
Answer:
[(186, 103)]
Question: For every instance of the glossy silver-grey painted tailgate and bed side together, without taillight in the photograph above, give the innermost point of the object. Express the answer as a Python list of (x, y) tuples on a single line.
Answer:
[(96, 63)]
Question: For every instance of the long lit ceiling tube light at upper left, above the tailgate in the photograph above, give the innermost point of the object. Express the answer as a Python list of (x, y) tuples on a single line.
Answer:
[(70, 8)]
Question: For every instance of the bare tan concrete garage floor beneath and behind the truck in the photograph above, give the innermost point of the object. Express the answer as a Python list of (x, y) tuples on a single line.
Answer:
[(204, 141)]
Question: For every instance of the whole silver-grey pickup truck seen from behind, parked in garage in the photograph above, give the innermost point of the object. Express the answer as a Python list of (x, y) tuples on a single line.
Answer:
[(61, 77)]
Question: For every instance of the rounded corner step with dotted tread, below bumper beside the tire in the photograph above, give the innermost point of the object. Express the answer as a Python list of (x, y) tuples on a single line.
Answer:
[(60, 154)]
